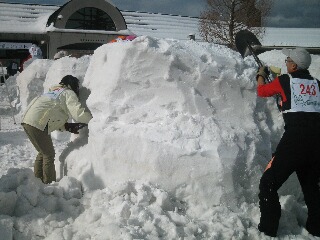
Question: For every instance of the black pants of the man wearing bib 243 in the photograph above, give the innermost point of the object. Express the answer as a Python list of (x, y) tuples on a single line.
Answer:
[(298, 151)]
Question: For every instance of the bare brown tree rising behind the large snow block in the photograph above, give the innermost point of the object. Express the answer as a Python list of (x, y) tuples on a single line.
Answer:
[(224, 18)]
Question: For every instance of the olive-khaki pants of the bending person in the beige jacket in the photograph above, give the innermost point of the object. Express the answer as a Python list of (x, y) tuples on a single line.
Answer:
[(44, 164)]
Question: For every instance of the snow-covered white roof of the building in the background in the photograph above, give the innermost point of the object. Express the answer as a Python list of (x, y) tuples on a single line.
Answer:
[(22, 18)]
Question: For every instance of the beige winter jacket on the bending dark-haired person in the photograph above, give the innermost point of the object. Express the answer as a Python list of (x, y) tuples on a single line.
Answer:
[(54, 108)]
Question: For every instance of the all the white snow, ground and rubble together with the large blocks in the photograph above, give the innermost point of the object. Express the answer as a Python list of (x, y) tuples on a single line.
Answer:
[(175, 149)]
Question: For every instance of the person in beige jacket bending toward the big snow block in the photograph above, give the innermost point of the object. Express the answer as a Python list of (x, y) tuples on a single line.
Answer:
[(48, 113)]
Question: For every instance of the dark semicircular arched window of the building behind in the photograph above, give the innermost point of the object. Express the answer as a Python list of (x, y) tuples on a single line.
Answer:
[(90, 19)]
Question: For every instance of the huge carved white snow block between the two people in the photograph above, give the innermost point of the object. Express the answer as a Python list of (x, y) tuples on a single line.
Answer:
[(175, 114)]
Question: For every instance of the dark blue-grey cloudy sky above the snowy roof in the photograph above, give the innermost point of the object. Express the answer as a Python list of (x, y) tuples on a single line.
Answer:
[(285, 13)]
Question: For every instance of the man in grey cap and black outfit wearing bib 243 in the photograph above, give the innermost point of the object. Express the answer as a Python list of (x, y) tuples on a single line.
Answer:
[(298, 150)]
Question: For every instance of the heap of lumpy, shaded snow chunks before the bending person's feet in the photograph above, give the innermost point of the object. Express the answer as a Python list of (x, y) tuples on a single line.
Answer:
[(29, 208)]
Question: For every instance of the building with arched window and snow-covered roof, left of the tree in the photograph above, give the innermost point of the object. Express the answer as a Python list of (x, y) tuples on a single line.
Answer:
[(79, 27)]
